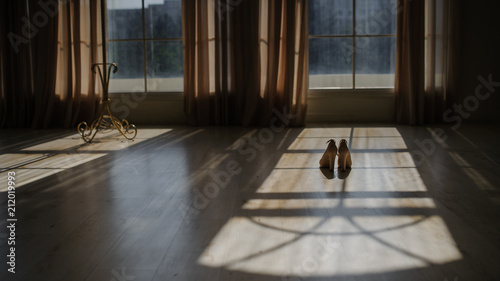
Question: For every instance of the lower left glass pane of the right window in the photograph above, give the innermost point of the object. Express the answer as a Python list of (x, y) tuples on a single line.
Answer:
[(330, 62)]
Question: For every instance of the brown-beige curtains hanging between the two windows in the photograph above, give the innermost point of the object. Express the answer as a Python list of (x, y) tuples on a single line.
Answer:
[(244, 60)]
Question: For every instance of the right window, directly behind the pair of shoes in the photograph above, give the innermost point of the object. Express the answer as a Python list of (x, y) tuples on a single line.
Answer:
[(352, 43)]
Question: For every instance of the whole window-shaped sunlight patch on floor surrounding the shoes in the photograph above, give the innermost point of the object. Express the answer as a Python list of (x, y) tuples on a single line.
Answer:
[(380, 218)]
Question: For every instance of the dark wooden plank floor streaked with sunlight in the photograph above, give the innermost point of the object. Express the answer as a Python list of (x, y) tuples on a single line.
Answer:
[(198, 203)]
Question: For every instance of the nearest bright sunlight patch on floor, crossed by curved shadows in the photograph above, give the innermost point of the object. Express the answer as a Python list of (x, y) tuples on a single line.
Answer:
[(312, 246)]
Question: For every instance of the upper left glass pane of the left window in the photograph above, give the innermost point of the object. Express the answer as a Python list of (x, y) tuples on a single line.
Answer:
[(124, 19)]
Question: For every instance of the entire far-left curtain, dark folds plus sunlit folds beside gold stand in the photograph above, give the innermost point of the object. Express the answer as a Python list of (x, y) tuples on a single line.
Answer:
[(45, 65)]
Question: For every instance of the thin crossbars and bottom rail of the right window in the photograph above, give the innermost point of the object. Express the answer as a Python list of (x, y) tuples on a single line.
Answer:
[(353, 36)]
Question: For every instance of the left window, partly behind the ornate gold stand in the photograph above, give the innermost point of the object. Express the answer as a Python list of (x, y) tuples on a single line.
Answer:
[(145, 40)]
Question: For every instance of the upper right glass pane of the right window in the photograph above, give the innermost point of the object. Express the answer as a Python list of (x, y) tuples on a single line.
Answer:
[(376, 17)]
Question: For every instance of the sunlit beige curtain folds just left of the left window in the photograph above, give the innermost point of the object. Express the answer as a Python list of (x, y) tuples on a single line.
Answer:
[(78, 90)]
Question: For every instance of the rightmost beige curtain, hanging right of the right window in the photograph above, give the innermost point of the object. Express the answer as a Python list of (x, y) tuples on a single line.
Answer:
[(426, 64)]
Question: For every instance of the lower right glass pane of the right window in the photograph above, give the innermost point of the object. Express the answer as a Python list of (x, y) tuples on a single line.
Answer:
[(375, 62)]
